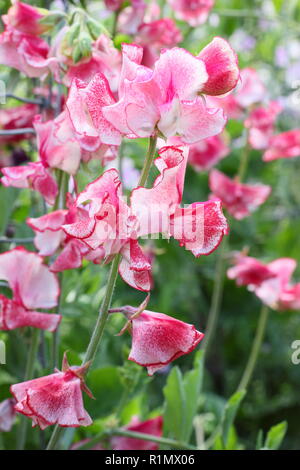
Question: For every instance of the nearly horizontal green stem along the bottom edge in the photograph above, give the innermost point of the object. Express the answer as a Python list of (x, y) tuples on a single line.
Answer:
[(137, 435)]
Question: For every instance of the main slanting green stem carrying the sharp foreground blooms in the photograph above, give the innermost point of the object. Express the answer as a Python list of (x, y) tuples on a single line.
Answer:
[(103, 313)]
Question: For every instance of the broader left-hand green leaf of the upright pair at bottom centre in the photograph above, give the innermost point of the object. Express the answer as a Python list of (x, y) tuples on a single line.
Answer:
[(175, 405)]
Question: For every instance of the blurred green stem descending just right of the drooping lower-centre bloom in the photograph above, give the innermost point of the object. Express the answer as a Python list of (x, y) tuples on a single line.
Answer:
[(216, 298)]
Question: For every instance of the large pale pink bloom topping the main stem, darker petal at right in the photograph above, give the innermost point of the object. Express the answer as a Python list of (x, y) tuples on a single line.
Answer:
[(167, 98)]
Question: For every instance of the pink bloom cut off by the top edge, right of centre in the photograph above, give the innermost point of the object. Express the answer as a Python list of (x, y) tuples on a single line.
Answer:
[(194, 12)]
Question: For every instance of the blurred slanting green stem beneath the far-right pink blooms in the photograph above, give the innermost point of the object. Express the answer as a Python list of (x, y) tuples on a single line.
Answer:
[(256, 346)]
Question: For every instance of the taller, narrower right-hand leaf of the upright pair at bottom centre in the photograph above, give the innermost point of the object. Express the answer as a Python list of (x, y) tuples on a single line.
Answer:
[(192, 387)]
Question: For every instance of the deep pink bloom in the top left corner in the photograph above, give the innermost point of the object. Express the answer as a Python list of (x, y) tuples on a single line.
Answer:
[(25, 18)]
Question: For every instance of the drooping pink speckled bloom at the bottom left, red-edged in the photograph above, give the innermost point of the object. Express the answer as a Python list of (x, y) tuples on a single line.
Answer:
[(54, 399)]
